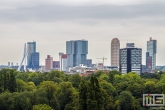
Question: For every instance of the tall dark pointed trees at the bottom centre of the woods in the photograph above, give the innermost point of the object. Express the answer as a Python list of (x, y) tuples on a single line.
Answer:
[(94, 99)]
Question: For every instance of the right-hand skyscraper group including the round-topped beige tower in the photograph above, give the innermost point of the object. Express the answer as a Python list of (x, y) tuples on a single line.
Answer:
[(129, 59)]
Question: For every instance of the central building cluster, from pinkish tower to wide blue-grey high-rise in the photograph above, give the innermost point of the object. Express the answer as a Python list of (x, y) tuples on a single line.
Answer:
[(76, 54)]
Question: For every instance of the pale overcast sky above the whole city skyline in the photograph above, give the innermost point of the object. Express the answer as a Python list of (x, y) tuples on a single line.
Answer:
[(53, 22)]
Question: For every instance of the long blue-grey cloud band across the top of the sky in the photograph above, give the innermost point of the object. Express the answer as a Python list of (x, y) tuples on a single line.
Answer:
[(60, 12)]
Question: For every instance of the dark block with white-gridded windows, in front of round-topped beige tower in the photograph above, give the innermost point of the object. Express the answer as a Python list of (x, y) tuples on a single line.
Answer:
[(130, 60)]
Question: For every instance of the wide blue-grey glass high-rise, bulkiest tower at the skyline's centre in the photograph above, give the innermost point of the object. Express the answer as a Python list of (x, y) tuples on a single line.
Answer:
[(76, 52)]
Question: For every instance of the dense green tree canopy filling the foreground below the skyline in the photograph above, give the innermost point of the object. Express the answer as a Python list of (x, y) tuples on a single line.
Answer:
[(58, 91)]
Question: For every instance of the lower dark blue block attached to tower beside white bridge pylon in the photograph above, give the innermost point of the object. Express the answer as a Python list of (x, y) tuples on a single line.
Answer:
[(35, 60)]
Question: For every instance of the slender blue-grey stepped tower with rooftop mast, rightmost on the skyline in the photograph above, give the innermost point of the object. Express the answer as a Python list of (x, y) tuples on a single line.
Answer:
[(151, 54)]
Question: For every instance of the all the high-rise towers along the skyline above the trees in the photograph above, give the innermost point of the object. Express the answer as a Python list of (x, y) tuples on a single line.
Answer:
[(128, 59)]
